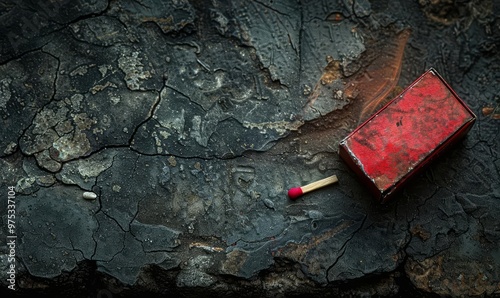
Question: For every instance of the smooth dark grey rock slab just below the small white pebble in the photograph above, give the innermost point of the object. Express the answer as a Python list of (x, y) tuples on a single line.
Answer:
[(96, 234)]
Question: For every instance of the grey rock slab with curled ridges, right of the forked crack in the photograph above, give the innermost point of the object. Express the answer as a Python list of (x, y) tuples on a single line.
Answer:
[(197, 116)]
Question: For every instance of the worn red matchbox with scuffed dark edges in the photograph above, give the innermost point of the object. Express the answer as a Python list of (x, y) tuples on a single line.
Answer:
[(408, 133)]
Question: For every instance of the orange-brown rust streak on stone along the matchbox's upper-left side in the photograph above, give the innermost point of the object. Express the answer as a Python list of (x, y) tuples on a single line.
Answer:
[(366, 90)]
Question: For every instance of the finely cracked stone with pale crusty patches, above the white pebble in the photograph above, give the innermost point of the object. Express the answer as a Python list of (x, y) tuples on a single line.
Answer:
[(73, 127)]
